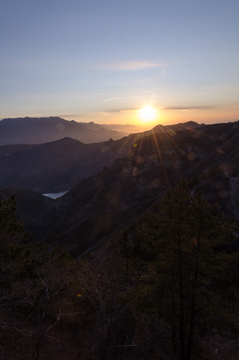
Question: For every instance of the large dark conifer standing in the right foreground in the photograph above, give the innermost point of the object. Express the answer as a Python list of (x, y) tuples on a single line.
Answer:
[(190, 285)]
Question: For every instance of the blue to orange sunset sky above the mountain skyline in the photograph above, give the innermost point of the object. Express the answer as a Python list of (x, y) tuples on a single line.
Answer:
[(103, 60)]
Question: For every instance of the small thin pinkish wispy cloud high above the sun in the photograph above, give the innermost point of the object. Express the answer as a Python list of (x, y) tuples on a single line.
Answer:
[(132, 65)]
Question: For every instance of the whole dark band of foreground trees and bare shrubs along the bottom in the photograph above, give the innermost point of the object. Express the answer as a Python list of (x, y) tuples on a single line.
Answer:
[(154, 293)]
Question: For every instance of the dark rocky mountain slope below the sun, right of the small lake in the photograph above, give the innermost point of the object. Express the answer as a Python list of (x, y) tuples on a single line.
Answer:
[(207, 156)]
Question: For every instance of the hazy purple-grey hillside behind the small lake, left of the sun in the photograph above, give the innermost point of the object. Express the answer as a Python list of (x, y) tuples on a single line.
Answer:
[(59, 165)]
